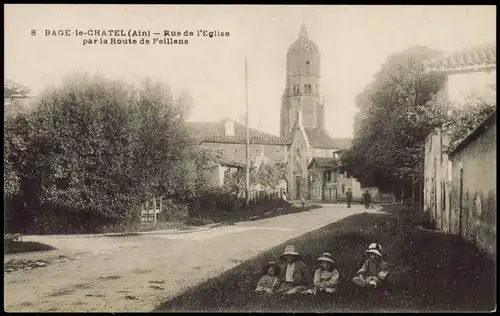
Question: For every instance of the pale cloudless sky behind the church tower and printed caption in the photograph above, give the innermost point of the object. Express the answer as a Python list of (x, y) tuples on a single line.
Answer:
[(353, 41)]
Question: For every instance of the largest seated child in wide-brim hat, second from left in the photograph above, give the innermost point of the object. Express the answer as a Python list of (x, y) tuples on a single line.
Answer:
[(294, 277)]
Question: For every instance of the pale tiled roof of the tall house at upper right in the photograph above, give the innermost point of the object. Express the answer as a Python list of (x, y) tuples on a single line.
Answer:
[(476, 58)]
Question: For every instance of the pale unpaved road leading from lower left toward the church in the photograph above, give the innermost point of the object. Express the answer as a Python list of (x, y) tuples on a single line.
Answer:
[(135, 273)]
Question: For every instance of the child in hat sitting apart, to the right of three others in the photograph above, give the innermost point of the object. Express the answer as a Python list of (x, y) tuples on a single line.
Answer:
[(374, 271)]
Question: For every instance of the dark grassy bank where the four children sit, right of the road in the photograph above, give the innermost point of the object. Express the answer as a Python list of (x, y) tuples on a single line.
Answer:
[(431, 270)]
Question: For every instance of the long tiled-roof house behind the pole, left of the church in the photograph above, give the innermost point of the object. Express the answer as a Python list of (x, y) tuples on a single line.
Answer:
[(227, 140)]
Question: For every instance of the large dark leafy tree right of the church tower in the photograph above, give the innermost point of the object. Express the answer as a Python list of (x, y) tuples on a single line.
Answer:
[(391, 124)]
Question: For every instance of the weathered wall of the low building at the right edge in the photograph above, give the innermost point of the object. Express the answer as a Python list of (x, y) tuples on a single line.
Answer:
[(475, 217)]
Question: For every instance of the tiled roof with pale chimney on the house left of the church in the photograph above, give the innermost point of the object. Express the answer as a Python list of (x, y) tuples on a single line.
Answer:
[(214, 132)]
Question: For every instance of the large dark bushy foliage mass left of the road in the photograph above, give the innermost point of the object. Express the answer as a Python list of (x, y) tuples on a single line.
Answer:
[(90, 152)]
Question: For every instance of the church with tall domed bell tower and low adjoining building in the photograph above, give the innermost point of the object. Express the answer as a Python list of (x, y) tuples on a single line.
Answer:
[(302, 123)]
